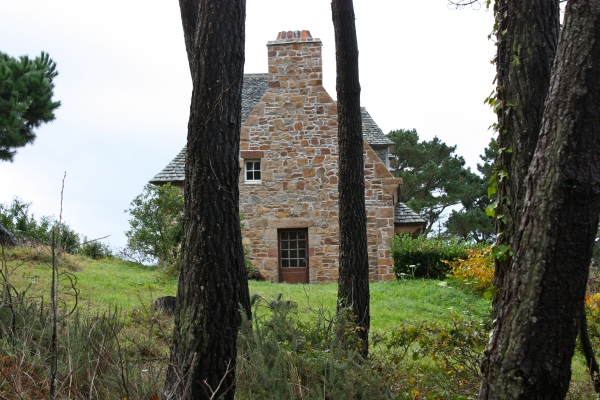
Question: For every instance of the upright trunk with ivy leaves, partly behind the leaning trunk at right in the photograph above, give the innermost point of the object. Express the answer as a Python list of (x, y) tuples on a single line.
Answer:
[(527, 36)]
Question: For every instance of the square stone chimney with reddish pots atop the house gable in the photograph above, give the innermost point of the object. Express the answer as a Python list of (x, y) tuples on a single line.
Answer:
[(295, 61)]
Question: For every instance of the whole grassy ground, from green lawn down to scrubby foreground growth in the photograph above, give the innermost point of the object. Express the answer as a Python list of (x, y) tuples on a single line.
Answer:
[(414, 325)]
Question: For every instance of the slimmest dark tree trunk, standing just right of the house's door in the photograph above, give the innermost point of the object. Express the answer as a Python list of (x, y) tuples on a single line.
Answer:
[(353, 290)]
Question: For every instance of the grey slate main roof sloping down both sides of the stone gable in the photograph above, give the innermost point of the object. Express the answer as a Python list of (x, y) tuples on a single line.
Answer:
[(255, 85)]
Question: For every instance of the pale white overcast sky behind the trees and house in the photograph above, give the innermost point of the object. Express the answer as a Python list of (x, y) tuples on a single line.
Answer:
[(125, 88)]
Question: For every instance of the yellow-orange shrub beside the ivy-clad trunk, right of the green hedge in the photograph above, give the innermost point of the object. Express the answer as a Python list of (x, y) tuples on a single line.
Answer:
[(476, 270)]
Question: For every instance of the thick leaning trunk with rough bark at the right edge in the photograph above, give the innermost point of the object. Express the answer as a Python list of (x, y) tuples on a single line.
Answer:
[(530, 351)]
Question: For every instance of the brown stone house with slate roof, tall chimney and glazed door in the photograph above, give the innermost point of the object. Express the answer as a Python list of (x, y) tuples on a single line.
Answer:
[(289, 164)]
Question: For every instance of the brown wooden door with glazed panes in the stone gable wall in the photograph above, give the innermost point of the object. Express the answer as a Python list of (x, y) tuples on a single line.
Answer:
[(293, 255)]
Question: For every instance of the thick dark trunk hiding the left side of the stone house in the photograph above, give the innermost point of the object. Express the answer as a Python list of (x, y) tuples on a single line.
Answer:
[(213, 286)]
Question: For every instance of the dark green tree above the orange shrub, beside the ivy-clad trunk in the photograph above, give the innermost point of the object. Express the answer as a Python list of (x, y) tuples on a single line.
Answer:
[(472, 221)]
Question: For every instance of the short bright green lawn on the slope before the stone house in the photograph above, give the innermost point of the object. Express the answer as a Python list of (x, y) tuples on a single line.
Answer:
[(109, 282)]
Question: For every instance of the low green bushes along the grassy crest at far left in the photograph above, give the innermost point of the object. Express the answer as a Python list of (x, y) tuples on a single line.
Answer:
[(16, 218)]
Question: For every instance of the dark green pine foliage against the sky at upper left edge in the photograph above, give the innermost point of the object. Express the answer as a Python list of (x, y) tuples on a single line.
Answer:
[(26, 90)]
